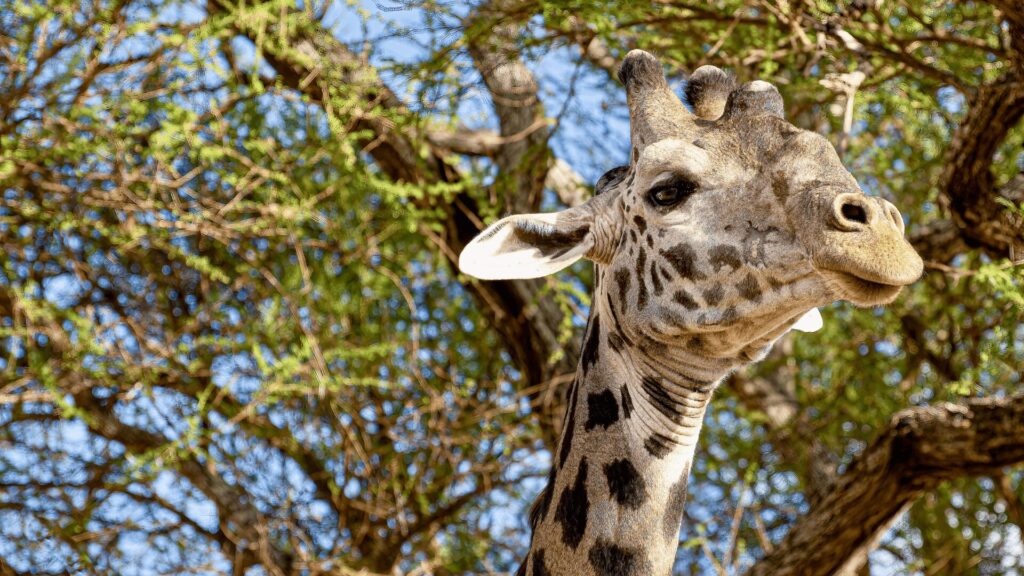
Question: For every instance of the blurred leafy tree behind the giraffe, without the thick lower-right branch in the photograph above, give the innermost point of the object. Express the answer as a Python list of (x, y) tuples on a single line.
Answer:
[(233, 340)]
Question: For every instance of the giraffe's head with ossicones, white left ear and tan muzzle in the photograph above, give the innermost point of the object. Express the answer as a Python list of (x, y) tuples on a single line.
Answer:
[(727, 228)]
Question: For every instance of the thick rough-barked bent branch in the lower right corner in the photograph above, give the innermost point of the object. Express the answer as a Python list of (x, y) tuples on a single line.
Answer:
[(921, 448)]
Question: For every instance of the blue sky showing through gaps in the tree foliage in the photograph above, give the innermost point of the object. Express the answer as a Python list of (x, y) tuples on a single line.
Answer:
[(580, 143)]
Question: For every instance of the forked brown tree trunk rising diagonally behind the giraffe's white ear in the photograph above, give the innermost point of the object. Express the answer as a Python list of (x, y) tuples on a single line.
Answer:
[(527, 323)]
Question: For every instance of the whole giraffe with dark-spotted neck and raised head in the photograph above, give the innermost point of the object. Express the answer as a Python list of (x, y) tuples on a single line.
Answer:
[(729, 228)]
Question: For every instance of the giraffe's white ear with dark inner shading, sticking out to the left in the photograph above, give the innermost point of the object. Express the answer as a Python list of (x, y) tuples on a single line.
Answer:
[(529, 245)]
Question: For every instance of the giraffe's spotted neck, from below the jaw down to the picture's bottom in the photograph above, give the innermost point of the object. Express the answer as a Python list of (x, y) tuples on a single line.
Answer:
[(615, 500)]
